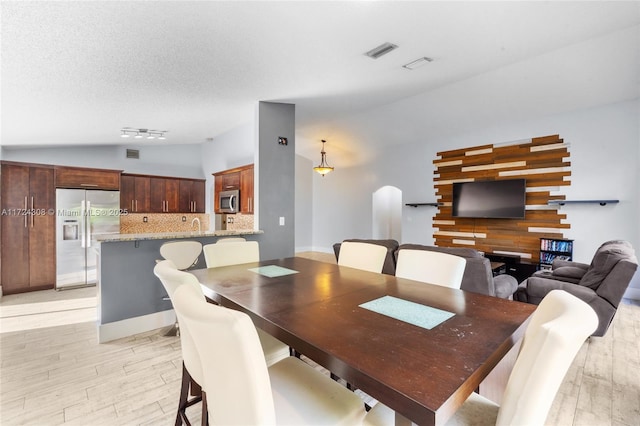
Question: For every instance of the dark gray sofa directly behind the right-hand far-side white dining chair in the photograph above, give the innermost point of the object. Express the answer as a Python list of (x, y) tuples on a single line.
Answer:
[(478, 277)]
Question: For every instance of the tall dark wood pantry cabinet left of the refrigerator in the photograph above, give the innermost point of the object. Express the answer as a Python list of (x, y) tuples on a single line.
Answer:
[(28, 227)]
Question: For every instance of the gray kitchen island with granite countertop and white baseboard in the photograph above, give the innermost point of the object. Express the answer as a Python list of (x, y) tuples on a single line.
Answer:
[(131, 299)]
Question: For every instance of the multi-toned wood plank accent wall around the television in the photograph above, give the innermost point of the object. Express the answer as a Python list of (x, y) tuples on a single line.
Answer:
[(541, 161)]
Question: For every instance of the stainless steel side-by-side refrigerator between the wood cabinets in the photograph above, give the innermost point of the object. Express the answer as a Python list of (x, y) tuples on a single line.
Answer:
[(82, 215)]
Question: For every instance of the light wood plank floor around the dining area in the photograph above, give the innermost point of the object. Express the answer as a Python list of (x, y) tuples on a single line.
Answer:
[(53, 371)]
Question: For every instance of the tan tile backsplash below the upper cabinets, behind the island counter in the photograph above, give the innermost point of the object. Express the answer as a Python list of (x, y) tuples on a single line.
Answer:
[(134, 223)]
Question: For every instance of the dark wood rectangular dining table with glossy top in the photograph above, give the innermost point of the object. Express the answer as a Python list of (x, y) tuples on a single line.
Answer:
[(423, 374)]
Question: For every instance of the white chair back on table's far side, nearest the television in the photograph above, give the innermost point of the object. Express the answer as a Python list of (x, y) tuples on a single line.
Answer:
[(431, 267)]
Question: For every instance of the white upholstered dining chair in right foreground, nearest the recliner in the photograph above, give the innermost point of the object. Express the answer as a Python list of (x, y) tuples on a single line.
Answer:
[(556, 332)]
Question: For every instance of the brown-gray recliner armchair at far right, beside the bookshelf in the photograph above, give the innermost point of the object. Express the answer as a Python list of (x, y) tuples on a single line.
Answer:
[(601, 284)]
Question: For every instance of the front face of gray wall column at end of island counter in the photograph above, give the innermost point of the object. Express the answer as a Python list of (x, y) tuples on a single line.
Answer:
[(276, 179)]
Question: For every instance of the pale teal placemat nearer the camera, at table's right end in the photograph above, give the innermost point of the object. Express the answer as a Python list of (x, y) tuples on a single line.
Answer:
[(403, 310)]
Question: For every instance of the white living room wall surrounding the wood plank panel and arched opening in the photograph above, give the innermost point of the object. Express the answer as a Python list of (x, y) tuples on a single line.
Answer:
[(604, 144)]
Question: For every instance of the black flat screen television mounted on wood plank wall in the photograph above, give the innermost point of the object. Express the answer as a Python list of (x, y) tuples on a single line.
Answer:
[(500, 199)]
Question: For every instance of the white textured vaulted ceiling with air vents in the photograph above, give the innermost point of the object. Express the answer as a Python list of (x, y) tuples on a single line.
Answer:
[(77, 72)]
